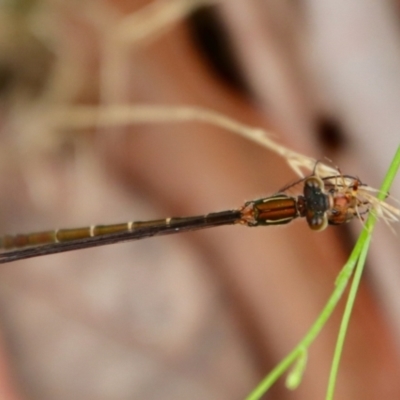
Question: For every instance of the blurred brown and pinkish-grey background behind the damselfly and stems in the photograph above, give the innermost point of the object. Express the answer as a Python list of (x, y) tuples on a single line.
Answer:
[(202, 315)]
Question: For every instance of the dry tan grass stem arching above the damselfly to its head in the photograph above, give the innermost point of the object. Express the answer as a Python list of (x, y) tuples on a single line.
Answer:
[(77, 118)]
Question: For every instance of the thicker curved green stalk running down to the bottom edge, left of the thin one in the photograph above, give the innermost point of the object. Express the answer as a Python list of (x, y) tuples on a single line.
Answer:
[(341, 284)]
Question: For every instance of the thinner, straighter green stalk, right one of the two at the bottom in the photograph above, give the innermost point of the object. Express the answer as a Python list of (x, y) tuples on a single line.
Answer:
[(365, 240)]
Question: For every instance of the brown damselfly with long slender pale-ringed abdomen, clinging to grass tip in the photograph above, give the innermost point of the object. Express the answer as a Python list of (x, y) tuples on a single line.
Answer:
[(328, 200)]
